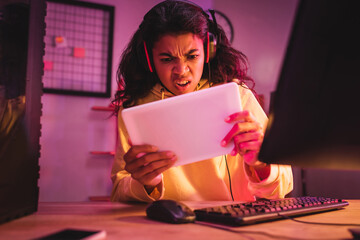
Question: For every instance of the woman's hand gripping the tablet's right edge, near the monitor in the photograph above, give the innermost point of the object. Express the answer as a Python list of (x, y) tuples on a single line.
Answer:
[(247, 135)]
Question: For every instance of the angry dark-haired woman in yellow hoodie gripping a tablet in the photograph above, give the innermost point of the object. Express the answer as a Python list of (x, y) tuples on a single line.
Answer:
[(176, 50)]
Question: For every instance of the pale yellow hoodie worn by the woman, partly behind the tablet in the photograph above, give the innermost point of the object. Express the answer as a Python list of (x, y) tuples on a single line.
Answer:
[(206, 180)]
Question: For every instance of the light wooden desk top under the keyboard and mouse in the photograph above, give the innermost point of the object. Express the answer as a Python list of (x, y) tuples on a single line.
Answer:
[(128, 221)]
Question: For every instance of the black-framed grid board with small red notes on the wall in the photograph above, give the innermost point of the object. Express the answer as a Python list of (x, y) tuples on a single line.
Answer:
[(78, 48)]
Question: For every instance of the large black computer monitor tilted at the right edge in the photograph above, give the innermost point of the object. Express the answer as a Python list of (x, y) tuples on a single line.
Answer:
[(314, 118)]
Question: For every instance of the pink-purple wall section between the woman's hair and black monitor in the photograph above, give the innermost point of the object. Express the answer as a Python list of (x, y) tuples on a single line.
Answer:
[(262, 29)]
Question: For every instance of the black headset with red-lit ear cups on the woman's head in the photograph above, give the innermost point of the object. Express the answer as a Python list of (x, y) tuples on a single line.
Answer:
[(209, 45)]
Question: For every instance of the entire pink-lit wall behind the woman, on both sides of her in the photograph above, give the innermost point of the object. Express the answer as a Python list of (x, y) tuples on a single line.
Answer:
[(70, 130)]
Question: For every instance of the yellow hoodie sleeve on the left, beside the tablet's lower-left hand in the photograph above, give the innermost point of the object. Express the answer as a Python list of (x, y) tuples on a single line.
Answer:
[(125, 188)]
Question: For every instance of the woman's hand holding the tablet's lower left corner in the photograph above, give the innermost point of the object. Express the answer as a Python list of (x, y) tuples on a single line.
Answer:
[(145, 164)]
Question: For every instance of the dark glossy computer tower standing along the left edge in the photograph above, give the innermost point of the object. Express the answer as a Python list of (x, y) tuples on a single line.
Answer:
[(22, 30)]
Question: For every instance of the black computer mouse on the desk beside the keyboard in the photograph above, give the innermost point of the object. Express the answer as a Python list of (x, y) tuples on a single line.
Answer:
[(170, 211)]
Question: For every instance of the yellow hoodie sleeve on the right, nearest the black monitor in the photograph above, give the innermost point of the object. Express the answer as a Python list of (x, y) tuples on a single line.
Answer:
[(280, 181)]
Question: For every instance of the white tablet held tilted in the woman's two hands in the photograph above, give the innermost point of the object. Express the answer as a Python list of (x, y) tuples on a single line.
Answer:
[(191, 125)]
